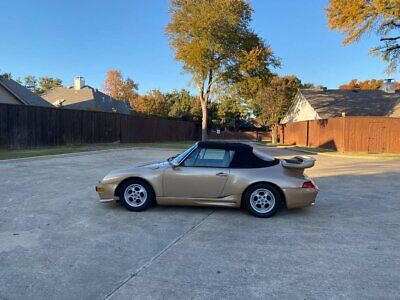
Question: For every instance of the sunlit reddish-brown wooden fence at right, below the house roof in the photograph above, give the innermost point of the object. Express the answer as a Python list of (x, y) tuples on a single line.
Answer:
[(346, 134)]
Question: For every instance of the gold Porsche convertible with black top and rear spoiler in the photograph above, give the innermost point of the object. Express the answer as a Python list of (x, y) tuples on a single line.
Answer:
[(214, 174)]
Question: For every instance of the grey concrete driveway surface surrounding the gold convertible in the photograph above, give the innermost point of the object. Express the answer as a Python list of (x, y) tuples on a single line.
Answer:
[(58, 242)]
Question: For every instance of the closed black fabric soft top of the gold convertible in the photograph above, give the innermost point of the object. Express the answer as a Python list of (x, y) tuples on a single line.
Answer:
[(244, 157)]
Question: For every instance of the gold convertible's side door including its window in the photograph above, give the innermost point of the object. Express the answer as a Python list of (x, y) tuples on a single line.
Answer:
[(202, 174)]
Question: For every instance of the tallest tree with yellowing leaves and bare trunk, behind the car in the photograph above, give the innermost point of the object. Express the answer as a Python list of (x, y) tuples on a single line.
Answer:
[(215, 44)]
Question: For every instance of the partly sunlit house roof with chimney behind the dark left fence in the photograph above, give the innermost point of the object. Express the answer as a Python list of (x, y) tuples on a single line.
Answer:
[(86, 98)]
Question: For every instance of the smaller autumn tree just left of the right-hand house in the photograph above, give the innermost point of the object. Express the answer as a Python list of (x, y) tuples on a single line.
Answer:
[(273, 101)]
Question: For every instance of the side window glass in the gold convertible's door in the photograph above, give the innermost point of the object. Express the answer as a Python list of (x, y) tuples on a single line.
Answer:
[(203, 157)]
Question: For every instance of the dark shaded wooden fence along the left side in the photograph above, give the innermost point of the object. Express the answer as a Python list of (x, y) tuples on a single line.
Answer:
[(30, 126)]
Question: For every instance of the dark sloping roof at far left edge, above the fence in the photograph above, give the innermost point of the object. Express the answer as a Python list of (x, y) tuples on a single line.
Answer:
[(23, 94)]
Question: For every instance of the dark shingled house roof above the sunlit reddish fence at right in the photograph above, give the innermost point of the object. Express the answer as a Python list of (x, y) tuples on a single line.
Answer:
[(332, 103)]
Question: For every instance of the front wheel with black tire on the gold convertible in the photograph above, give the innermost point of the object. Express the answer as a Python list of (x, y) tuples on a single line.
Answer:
[(136, 202)]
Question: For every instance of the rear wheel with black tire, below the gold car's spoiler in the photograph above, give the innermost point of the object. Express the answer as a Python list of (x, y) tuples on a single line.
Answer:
[(270, 209)]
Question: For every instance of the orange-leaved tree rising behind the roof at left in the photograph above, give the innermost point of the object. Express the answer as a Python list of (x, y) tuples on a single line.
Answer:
[(120, 88)]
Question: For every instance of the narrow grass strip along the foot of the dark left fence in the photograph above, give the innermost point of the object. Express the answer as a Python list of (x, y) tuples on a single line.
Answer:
[(11, 154)]
